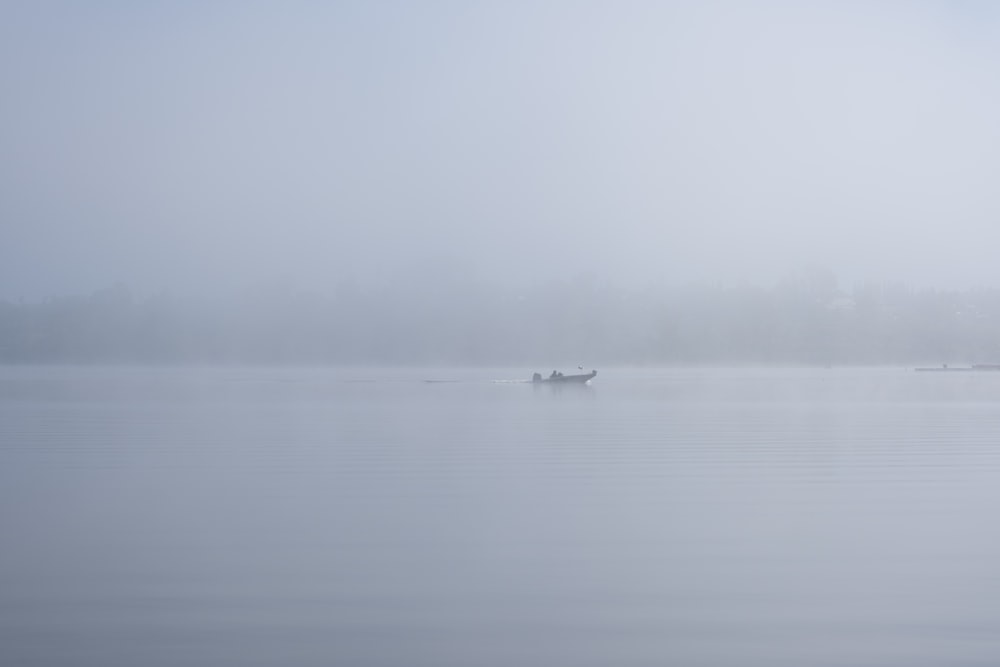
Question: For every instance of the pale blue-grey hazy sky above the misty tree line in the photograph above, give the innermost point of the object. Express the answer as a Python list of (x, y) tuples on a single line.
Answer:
[(176, 145)]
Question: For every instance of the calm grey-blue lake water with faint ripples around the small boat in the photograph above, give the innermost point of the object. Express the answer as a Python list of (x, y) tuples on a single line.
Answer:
[(367, 517)]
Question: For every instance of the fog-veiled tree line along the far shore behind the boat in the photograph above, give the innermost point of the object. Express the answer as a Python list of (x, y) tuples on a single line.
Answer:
[(806, 319)]
